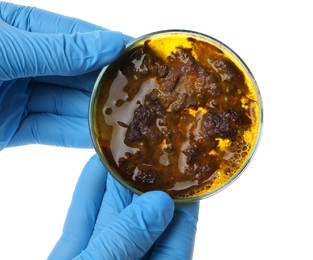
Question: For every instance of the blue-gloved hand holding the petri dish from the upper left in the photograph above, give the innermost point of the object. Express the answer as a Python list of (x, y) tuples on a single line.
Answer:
[(48, 67)]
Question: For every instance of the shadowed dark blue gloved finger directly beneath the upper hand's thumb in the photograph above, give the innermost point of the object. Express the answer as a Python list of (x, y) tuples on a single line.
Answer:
[(83, 82)]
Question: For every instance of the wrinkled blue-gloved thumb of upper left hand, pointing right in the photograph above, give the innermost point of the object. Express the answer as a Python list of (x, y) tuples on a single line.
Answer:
[(30, 54)]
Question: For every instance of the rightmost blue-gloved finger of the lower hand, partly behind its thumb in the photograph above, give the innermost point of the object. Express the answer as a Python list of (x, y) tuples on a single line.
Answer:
[(178, 240)]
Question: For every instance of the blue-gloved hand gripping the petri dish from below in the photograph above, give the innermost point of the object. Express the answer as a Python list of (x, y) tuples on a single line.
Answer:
[(107, 221)]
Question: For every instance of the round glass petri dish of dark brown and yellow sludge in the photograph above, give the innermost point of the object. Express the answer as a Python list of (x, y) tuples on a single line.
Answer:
[(178, 111)]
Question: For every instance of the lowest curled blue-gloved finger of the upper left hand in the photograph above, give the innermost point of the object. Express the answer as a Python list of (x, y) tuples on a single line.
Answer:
[(50, 129)]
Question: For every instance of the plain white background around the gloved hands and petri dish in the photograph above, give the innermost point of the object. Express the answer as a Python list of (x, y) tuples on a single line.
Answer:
[(266, 213)]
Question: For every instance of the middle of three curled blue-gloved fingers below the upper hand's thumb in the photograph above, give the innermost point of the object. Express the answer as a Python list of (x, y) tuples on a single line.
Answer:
[(46, 98)]
